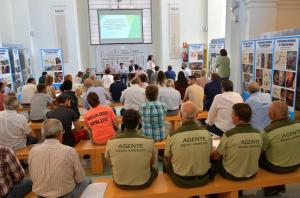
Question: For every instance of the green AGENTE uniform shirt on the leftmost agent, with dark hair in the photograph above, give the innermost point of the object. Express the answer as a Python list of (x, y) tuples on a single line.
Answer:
[(130, 154)]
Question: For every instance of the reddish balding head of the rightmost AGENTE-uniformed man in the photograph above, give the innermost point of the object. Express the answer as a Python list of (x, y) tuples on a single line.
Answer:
[(278, 110)]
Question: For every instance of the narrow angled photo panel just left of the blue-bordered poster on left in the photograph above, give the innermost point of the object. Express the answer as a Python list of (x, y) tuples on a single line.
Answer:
[(25, 64)]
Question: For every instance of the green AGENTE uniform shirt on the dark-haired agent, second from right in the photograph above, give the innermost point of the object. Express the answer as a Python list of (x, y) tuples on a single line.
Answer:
[(240, 148)]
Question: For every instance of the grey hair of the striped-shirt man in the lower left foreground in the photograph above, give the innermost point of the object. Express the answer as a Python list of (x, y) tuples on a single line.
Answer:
[(50, 128)]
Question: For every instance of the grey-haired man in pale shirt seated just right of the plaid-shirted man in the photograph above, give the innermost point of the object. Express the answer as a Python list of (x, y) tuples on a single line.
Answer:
[(170, 97)]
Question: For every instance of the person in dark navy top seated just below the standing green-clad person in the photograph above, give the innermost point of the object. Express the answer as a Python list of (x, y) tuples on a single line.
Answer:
[(212, 89)]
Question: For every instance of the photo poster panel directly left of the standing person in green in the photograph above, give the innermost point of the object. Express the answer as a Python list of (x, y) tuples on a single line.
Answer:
[(214, 51)]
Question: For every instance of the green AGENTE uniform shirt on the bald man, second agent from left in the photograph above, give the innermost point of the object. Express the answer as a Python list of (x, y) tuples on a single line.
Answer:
[(189, 148)]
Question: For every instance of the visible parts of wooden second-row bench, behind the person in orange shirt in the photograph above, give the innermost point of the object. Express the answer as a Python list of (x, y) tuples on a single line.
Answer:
[(86, 148)]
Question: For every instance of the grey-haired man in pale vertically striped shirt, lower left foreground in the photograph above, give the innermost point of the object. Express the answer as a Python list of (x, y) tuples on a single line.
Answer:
[(54, 168)]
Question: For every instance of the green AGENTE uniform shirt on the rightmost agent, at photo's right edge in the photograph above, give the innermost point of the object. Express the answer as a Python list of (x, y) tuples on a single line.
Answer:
[(282, 143)]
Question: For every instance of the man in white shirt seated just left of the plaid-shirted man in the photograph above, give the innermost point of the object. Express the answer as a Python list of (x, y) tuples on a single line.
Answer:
[(133, 97)]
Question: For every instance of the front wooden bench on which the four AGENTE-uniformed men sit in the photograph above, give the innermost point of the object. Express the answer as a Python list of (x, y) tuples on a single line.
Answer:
[(164, 187)]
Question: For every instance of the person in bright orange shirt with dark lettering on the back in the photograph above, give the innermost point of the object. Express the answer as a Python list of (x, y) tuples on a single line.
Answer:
[(100, 119)]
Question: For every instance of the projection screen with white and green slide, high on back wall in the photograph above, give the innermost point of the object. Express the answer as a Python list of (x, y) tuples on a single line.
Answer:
[(120, 26)]
